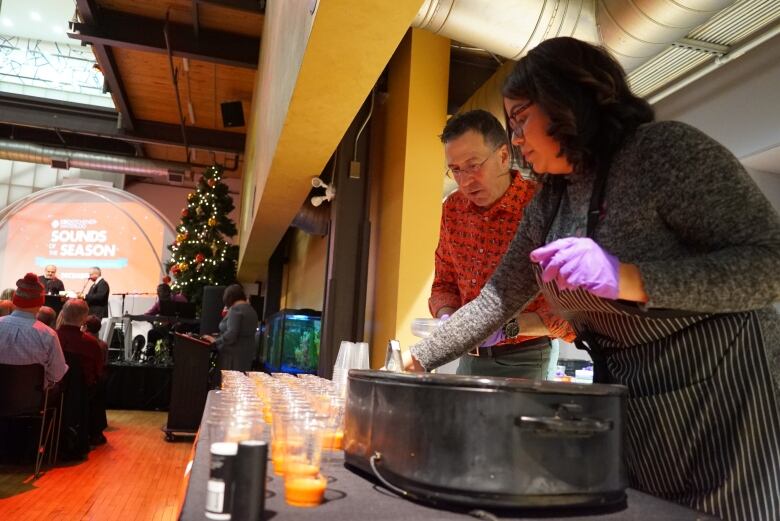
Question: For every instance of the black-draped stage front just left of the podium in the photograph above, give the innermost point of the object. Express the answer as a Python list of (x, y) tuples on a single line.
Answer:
[(138, 386)]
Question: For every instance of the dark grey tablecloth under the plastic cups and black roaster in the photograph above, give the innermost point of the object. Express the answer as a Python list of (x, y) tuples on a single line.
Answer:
[(352, 496)]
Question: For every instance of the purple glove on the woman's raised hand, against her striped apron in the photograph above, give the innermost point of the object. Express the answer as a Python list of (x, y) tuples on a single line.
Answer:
[(578, 262)]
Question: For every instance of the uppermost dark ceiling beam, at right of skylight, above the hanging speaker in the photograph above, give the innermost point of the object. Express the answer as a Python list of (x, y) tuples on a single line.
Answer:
[(139, 33)]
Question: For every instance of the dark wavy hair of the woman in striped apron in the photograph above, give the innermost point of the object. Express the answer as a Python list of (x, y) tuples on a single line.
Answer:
[(584, 92)]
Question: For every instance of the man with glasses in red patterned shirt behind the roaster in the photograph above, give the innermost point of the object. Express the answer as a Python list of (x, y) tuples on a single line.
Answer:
[(478, 222)]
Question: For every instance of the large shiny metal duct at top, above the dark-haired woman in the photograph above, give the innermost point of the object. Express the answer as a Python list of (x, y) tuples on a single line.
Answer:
[(633, 31)]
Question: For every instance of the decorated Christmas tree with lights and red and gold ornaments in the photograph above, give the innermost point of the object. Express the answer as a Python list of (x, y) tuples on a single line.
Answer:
[(201, 255)]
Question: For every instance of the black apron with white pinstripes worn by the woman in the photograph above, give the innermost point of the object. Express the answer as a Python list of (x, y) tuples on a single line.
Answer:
[(702, 424)]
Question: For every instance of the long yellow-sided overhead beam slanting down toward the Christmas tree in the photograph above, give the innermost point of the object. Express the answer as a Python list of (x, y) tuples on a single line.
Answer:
[(315, 71)]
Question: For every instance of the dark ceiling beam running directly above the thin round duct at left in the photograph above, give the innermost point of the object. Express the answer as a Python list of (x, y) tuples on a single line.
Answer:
[(27, 111)]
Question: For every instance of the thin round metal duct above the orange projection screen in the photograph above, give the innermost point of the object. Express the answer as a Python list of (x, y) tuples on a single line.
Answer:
[(61, 158)]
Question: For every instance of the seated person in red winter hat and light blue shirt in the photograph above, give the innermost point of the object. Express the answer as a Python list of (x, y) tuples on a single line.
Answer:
[(24, 340)]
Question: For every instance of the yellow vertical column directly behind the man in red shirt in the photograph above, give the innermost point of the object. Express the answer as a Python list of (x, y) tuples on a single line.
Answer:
[(406, 205)]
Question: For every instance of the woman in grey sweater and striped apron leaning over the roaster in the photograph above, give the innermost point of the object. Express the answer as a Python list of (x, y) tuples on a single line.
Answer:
[(652, 240)]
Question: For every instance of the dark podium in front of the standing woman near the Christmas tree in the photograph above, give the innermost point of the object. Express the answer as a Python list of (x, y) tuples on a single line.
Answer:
[(190, 386)]
